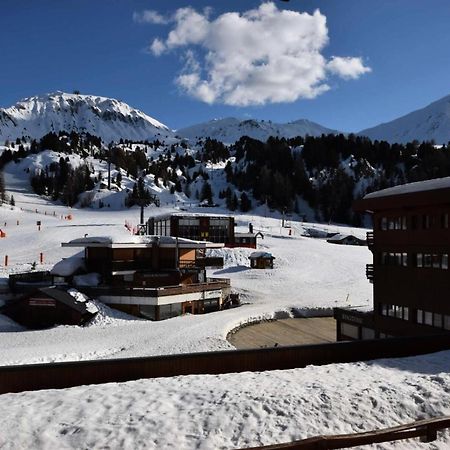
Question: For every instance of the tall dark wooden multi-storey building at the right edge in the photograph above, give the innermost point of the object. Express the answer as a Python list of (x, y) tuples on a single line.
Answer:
[(410, 272)]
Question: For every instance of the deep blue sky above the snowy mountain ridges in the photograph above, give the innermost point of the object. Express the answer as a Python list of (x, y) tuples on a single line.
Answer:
[(97, 47)]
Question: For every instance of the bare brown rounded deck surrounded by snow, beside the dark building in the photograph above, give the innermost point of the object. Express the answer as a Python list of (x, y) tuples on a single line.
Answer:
[(315, 330)]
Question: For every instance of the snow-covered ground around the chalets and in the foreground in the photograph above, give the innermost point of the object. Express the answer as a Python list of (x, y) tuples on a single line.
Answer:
[(225, 411)]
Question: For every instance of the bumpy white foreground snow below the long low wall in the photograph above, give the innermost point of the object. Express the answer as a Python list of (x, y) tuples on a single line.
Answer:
[(234, 410)]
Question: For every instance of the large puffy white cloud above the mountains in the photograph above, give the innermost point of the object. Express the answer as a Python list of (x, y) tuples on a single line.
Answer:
[(264, 55)]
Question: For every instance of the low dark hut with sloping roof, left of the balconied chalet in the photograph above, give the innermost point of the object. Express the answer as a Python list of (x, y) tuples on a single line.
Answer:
[(48, 306)]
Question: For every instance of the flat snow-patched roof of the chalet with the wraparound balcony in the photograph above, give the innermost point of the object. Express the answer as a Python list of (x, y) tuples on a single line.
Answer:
[(139, 242)]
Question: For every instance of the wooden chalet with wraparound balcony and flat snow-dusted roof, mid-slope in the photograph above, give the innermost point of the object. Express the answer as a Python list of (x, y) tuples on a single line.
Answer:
[(156, 277)]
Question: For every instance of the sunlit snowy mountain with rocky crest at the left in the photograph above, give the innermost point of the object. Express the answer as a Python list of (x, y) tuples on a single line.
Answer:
[(105, 117)]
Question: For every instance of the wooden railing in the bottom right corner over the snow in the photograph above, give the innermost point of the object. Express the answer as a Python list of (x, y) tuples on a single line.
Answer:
[(425, 429)]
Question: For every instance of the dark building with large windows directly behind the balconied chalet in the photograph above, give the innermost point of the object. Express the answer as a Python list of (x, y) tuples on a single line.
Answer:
[(200, 227)]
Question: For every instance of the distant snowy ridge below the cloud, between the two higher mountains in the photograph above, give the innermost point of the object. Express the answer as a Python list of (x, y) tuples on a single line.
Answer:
[(230, 130)]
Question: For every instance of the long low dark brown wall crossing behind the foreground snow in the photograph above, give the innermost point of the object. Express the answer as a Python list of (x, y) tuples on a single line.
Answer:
[(68, 374)]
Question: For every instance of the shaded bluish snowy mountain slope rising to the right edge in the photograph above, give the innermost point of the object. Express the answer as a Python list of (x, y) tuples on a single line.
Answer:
[(431, 122)]
